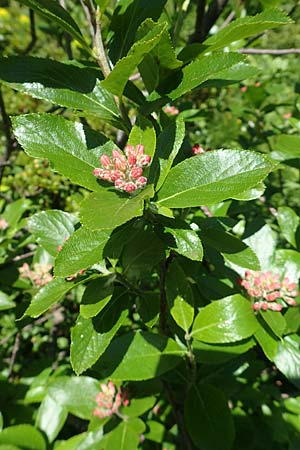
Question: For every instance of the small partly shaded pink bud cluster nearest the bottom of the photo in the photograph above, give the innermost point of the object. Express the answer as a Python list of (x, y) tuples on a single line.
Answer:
[(109, 400)]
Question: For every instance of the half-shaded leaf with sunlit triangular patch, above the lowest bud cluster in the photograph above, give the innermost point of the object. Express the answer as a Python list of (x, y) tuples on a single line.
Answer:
[(121, 361)]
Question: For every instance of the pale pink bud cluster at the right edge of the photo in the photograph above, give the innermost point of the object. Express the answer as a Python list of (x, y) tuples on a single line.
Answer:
[(266, 290)]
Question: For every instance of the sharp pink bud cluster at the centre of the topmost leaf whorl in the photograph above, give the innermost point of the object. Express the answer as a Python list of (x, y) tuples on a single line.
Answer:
[(126, 172)]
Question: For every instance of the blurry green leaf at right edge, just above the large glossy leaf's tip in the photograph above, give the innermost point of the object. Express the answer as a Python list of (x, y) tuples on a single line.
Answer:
[(285, 147)]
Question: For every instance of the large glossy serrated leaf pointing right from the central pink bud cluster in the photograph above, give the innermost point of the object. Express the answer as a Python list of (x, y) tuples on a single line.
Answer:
[(213, 177)]
